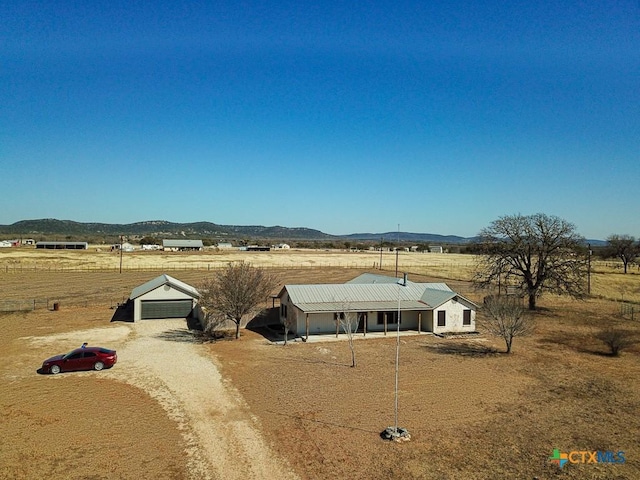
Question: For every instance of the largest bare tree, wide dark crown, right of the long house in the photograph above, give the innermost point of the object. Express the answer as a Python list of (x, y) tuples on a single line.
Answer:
[(534, 253)]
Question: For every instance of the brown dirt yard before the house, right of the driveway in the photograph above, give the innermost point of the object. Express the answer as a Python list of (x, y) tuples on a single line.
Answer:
[(473, 413)]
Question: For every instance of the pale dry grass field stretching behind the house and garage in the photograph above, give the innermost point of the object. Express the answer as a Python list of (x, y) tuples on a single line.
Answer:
[(607, 280)]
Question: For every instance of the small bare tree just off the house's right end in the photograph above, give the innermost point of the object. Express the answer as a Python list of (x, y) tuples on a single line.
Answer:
[(506, 317)]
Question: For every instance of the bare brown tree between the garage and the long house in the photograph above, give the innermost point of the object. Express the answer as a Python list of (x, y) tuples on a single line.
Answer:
[(237, 291)]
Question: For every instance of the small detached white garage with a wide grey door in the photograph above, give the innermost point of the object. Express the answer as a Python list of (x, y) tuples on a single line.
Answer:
[(164, 297)]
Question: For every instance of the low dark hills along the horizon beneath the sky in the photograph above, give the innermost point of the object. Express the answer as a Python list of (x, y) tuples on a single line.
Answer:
[(163, 228)]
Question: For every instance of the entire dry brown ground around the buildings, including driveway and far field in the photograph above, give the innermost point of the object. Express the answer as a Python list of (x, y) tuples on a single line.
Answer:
[(175, 407)]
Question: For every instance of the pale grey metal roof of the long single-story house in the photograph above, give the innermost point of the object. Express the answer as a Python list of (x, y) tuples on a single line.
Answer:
[(368, 296)]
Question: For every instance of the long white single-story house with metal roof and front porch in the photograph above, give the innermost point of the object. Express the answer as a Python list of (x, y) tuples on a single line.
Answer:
[(377, 302)]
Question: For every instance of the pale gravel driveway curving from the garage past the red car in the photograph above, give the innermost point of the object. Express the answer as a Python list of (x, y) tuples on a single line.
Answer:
[(160, 357)]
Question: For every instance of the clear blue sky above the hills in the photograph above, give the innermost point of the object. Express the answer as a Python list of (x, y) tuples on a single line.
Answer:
[(340, 116)]
